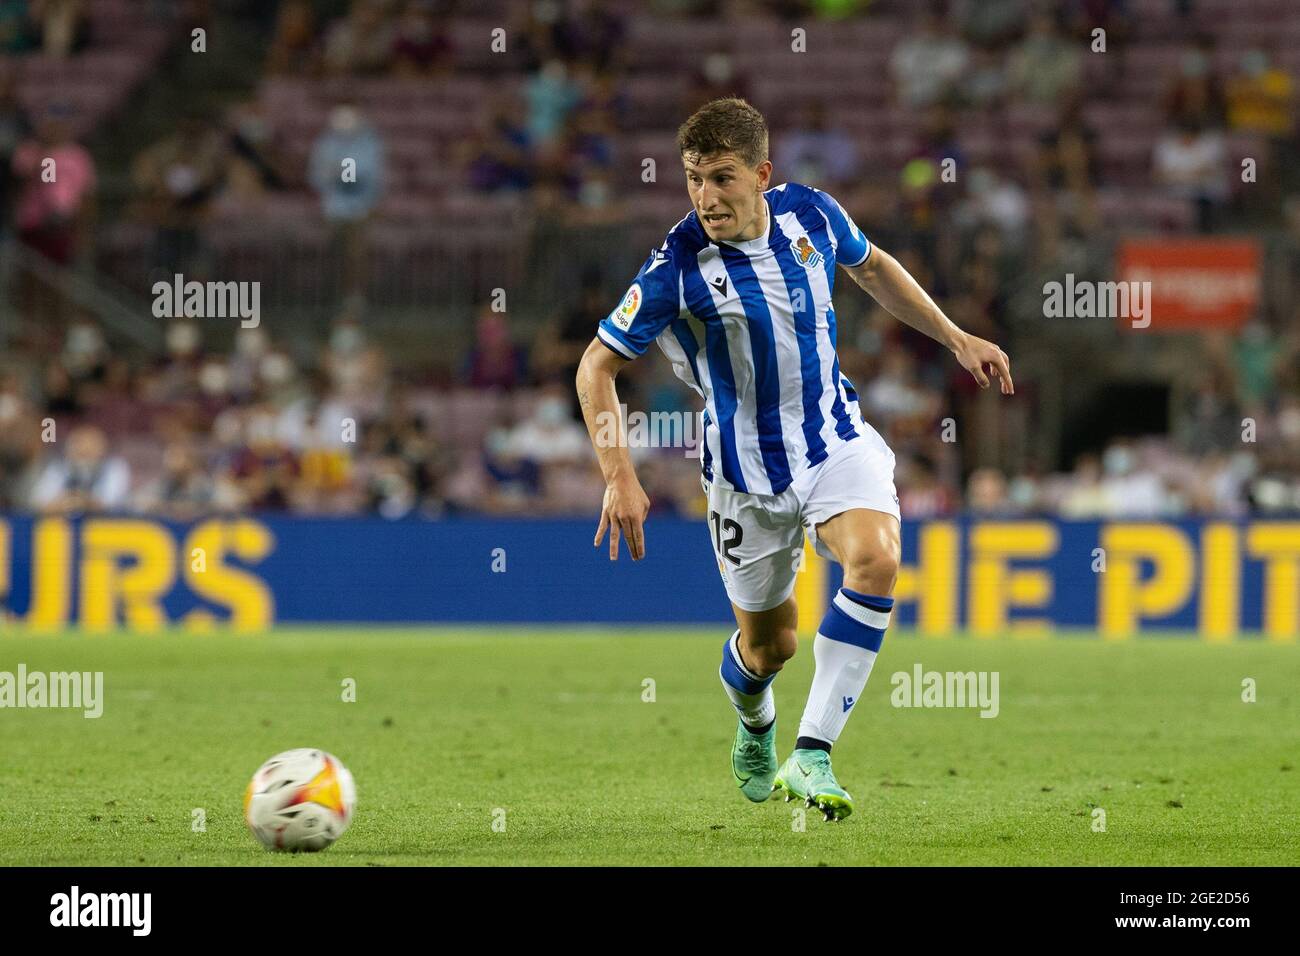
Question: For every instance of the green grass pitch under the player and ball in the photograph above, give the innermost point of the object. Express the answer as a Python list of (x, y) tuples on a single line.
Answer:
[(452, 726)]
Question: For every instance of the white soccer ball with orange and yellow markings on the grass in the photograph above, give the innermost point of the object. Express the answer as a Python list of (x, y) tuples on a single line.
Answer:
[(300, 801)]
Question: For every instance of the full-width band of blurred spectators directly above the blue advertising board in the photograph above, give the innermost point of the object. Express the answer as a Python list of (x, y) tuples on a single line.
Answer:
[(201, 431)]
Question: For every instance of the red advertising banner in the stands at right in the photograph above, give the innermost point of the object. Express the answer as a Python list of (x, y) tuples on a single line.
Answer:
[(1194, 283)]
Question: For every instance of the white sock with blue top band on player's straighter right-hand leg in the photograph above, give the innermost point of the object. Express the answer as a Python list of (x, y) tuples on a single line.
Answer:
[(844, 651)]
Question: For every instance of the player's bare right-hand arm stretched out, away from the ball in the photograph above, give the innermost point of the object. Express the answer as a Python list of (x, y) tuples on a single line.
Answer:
[(890, 284)]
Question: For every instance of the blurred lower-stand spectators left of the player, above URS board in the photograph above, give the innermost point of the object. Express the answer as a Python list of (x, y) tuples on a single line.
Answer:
[(201, 432)]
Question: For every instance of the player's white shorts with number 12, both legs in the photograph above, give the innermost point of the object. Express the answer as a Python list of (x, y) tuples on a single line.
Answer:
[(759, 539)]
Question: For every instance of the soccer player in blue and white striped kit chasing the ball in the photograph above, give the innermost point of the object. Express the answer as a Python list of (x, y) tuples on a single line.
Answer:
[(739, 297)]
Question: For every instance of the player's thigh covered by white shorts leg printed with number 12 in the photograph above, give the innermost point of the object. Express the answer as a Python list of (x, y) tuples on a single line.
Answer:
[(759, 543)]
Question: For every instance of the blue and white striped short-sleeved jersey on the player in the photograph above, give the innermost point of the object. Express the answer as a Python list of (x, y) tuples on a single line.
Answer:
[(751, 327)]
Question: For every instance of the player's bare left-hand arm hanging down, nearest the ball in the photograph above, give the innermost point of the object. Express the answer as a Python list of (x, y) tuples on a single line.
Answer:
[(626, 504)]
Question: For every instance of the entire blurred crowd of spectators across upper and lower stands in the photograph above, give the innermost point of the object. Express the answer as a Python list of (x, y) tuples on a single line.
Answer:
[(339, 427)]
